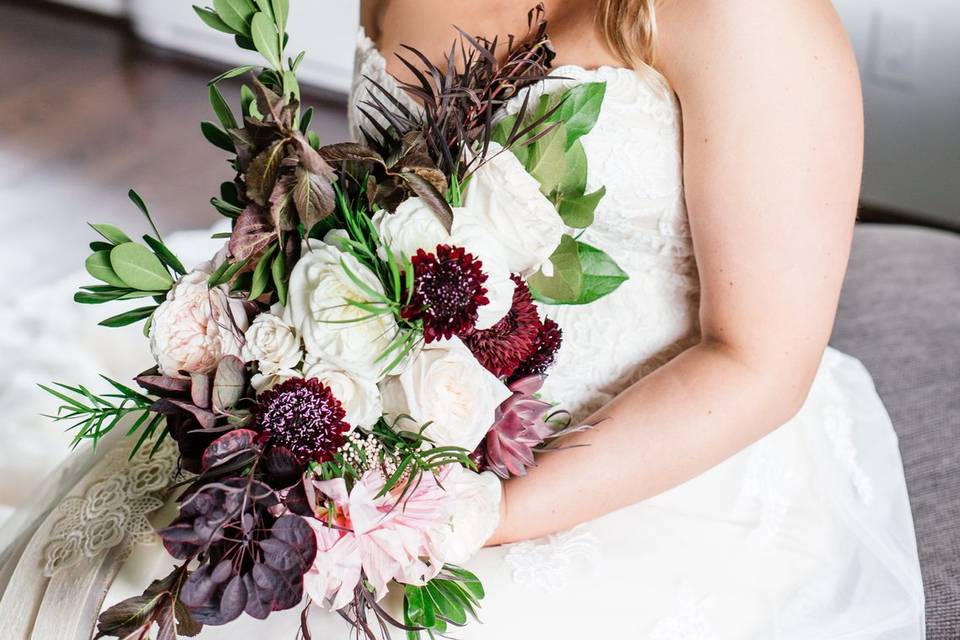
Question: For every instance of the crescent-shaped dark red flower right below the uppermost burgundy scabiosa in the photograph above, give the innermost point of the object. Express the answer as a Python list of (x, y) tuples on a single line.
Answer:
[(502, 347)]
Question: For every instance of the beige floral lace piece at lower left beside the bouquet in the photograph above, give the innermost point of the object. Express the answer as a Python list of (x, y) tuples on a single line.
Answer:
[(113, 510)]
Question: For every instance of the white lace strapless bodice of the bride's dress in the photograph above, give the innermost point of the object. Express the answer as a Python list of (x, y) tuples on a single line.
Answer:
[(635, 152)]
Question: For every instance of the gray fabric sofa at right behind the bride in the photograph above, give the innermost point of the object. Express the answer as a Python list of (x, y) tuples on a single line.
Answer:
[(900, 315)]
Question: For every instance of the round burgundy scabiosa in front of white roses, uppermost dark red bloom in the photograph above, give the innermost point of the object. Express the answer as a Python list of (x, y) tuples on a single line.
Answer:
[(447, 291)]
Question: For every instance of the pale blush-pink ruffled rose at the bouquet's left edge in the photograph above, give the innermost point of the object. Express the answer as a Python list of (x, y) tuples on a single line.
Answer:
[(196, 326)]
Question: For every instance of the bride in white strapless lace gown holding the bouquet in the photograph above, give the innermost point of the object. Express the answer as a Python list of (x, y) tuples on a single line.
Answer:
[(743, 480)]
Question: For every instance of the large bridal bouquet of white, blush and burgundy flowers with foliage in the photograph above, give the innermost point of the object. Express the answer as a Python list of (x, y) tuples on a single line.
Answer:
[(348, 380)]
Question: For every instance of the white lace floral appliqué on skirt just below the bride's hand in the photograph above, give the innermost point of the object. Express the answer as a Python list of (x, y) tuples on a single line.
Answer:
[(548, 563)]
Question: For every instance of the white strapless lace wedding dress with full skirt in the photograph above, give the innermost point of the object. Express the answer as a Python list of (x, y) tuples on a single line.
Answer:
[(806, 534)]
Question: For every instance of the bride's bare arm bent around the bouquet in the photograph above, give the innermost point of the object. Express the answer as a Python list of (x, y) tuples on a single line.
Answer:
[(772, 157)]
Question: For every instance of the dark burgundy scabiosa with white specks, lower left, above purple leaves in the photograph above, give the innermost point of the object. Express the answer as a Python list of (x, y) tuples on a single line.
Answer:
[(302, 416)]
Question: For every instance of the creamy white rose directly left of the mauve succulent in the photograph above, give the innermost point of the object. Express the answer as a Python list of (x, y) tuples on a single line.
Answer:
[(446, 387)]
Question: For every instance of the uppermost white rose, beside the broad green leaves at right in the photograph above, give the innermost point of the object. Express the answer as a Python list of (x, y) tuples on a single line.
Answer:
[(507, 201)]
